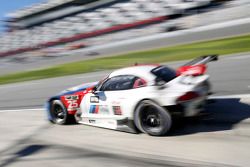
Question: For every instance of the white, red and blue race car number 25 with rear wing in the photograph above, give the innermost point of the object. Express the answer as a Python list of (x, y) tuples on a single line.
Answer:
[(140, 98)]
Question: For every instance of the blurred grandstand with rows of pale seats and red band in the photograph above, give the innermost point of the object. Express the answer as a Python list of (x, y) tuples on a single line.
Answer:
[(72, 24)]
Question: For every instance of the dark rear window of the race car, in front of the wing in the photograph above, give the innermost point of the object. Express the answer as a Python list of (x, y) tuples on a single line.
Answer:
[(164, 73)]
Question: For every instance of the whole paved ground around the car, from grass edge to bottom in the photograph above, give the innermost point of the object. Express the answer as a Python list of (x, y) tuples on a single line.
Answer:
[(220, 137)]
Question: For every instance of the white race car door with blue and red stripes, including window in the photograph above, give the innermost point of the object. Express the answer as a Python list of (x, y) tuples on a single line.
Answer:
[(110, 97)]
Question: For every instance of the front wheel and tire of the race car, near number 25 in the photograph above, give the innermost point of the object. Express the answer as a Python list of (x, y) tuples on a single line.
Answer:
[(59, 113)]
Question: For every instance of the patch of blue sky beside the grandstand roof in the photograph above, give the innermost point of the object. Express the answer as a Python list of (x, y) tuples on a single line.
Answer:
[(8, 6)]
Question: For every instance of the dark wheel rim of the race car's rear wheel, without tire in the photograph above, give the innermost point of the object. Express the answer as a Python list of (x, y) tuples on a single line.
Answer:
[(150, 118)]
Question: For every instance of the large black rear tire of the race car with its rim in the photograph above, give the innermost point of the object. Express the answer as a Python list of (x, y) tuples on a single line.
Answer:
[(152, 119)]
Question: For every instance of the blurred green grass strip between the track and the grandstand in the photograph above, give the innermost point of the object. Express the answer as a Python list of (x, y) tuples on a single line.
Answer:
[(182, 52)]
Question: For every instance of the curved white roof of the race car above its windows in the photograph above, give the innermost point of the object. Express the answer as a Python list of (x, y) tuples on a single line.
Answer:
[(142, 71)]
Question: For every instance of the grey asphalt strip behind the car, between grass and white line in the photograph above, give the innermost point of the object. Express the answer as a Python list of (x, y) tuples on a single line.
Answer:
[(229, 75)]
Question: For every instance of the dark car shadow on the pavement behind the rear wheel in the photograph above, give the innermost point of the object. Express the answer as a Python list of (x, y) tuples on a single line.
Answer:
[(220, 115)]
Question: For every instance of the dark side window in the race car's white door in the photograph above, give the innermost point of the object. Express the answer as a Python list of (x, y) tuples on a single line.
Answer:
[(123, 82)]
